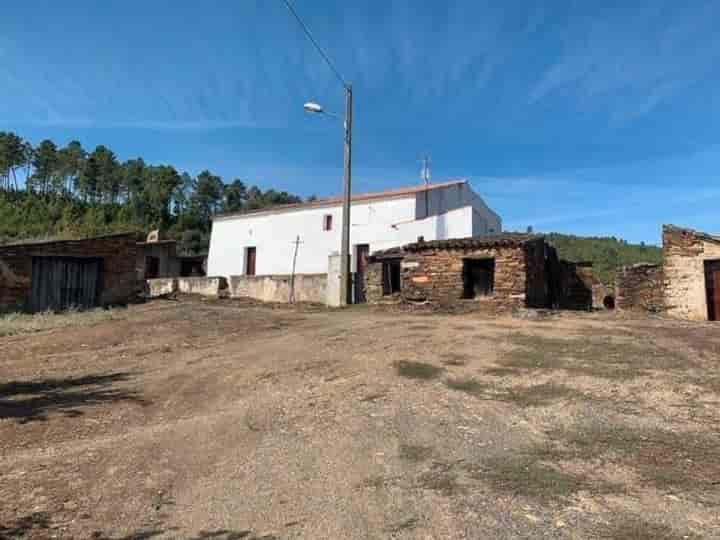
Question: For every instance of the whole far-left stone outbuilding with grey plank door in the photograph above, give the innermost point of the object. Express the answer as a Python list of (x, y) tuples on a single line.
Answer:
[(56, 275)]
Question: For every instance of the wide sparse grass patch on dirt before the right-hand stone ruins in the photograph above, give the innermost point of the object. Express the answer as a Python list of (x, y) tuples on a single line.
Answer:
[(601, 358)]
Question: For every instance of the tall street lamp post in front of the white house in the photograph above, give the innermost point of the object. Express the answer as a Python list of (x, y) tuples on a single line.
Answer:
[(345, 288)]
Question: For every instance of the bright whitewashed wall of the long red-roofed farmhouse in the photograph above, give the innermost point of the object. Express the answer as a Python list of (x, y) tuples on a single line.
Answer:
[(382, 224)]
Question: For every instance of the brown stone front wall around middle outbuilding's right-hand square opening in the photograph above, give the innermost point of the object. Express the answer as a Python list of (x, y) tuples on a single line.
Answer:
[(436, 275)]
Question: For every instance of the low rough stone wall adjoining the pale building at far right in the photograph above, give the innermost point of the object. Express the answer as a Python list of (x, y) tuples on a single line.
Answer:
[(639, 288)]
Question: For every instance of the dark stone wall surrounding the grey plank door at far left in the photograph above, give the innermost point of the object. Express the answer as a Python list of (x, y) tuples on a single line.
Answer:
[(118, 253)]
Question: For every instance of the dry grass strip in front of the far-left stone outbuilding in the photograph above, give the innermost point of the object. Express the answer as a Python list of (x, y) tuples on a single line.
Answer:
[(22, 323)]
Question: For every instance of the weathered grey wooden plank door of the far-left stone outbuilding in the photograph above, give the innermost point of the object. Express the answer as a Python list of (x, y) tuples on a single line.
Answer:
[(60, 283)]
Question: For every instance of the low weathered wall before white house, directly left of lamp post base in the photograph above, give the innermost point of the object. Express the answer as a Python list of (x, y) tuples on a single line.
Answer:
[(276, 288)]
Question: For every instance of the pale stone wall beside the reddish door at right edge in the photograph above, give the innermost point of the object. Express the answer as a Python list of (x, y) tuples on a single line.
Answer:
[(685, 252)]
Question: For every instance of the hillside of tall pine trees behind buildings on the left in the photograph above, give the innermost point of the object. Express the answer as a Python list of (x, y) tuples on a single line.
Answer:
[(51, 191)]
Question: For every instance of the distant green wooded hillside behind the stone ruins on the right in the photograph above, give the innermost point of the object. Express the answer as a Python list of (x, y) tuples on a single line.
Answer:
[(606, 253)]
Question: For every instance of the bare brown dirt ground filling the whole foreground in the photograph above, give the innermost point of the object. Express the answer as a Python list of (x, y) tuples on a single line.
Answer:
[(222, 420)]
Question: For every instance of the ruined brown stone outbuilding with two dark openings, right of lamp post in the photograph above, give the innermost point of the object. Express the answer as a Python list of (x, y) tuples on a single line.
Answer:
[(493, 273)]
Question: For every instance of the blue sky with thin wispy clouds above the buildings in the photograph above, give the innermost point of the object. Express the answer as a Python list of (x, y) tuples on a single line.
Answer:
[(583, 117)]
